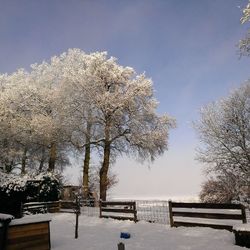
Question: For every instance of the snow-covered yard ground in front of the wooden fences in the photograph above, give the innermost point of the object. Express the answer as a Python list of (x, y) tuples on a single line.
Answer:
[(104, 234)]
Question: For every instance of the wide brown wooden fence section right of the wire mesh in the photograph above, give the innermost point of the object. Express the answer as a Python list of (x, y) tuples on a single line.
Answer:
[(212, 212)]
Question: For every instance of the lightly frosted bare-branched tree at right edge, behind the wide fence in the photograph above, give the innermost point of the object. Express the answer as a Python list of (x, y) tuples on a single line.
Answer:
[(224, 130)]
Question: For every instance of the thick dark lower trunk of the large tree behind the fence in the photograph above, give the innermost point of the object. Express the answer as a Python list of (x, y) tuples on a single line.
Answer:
[(104, 172)]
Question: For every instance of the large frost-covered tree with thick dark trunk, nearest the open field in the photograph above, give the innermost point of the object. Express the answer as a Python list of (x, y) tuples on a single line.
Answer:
[(125, 113)]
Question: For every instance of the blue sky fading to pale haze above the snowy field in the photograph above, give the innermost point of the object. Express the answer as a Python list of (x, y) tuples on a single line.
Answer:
[(188, 49)]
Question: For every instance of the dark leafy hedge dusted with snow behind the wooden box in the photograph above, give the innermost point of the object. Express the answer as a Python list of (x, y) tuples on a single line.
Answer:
[(15, 189)]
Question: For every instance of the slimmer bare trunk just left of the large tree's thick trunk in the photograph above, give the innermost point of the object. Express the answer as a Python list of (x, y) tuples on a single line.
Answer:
[(85, 181)]
